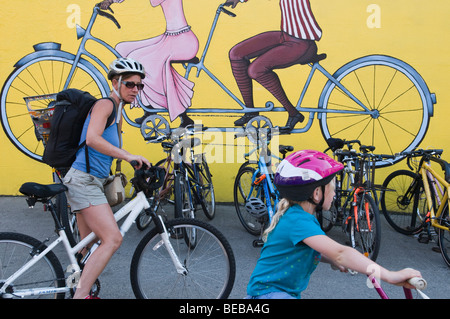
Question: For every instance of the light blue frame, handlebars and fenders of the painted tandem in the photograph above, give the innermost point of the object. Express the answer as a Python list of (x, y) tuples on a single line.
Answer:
[(96, 68)]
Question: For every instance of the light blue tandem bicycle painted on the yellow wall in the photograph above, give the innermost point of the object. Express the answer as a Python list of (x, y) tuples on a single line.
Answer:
[(372, 91)]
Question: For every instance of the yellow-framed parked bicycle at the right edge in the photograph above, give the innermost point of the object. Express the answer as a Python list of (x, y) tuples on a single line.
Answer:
[(416, 201)]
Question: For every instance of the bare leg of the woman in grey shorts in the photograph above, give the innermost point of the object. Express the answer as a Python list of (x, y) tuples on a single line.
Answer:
[(100, 220)]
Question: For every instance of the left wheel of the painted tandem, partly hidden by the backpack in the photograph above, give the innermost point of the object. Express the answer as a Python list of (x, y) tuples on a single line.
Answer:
[(41, 76)]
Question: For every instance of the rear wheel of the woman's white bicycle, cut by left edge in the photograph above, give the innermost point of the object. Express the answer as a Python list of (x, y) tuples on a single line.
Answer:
[(18, 249)]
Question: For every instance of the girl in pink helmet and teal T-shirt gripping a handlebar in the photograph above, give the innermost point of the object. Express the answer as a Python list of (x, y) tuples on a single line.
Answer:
[(295, 243)]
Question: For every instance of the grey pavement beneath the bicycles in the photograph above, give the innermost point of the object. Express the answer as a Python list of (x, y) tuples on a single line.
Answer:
[(397, 251)]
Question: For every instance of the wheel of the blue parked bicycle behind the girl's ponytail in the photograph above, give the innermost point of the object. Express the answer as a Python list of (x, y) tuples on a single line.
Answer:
[(242, 192)]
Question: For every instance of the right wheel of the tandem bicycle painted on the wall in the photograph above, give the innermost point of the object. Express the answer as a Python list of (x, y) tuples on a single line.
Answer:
[(398, 96)]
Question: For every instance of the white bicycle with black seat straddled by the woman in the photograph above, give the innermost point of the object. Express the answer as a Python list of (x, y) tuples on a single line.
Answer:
[(174, 256)]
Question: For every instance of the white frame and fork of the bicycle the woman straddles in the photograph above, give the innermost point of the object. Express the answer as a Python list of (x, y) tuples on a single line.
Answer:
[(132, 209)]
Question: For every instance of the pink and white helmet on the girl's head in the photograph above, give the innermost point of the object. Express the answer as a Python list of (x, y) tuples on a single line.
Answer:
[(301, 172)]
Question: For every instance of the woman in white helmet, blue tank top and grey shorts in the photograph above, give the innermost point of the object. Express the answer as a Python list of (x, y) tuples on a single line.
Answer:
[(85, 181)]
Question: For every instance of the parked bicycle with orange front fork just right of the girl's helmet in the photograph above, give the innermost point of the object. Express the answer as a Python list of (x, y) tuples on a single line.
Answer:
[(355, 208)]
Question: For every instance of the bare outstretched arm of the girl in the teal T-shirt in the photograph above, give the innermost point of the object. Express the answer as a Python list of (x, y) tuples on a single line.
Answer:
[(347, 257)]
